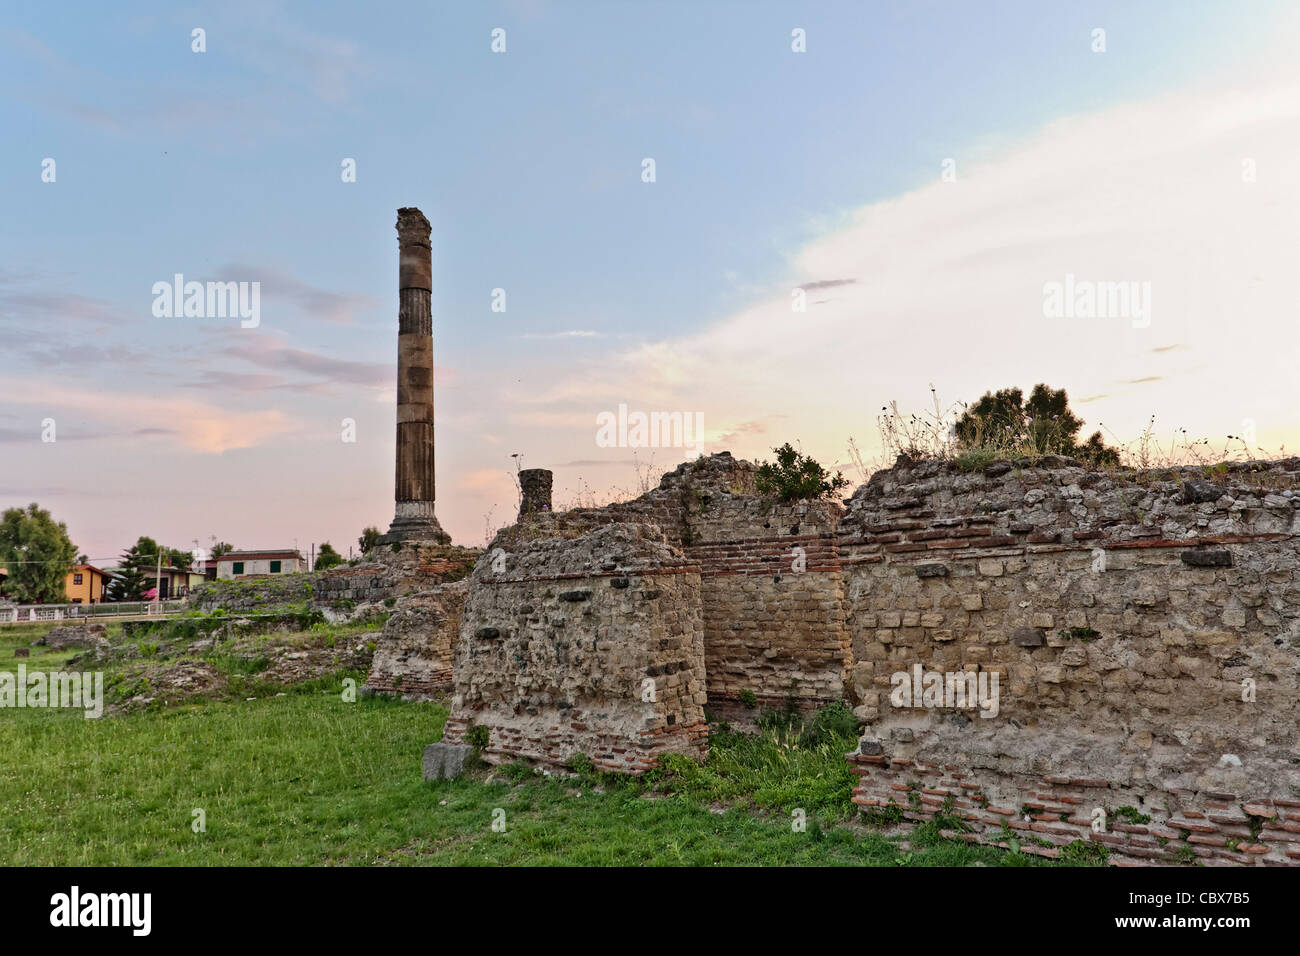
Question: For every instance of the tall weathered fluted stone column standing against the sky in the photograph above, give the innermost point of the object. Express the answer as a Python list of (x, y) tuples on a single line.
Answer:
[(414, 520)]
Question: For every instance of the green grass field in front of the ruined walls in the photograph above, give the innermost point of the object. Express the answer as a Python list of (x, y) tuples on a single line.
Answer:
[(306, 778)]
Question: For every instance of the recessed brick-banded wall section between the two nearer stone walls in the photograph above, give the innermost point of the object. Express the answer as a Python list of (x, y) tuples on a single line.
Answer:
[(772, 587)]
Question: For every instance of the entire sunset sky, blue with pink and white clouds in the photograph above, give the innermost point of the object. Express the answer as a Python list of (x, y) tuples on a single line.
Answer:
[(924, 172)]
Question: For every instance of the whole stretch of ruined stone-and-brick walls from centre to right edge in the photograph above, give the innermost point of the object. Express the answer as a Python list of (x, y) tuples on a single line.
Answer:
[(1143, 629)]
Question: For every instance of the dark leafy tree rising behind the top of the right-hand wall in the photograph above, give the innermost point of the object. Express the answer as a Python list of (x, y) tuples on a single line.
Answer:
[(1043, 426)]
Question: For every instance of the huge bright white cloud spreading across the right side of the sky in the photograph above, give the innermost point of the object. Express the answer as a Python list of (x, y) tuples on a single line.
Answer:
[(947, 283)]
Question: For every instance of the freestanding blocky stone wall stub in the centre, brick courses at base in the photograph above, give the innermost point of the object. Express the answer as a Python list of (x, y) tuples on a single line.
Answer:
[(587, 646)]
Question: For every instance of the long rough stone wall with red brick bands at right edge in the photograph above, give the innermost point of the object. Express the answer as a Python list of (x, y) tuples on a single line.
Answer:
[(1142, 629)]
